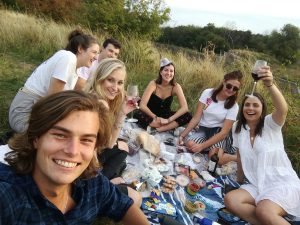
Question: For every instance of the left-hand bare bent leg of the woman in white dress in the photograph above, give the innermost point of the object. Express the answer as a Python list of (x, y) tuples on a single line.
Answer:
[(242, 204)]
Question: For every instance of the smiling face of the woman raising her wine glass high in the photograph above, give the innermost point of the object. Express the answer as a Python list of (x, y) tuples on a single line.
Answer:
[(252, 109)]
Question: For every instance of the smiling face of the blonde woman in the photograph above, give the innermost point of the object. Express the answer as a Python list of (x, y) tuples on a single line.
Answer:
[(113, 85)]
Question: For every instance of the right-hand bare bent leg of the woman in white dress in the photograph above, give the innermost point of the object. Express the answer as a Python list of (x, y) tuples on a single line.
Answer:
[(270, 213)]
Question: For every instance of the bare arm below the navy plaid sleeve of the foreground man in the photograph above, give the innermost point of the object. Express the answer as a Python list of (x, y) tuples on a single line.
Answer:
[(135, 216)]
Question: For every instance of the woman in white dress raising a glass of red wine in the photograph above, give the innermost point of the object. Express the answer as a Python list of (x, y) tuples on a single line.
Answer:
[(273, 190)]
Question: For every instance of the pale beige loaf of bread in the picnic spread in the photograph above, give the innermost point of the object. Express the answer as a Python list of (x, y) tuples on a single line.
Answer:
[(149, 143)]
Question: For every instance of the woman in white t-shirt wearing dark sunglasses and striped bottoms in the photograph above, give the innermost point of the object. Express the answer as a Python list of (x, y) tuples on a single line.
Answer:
[(215, 114)]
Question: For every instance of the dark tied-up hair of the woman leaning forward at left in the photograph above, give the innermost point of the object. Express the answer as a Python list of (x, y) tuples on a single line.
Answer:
[(77, 38)]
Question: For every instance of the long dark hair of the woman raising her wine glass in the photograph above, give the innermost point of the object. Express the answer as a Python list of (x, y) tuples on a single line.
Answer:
[(242, 120)]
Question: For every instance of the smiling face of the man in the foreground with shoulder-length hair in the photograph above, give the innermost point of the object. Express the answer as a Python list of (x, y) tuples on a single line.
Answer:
[(65, 151)]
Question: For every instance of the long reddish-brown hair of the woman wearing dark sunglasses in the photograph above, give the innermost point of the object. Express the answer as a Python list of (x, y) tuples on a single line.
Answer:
[(229, 102)]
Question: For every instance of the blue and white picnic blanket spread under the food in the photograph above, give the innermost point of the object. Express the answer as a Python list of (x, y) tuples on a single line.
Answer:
[(171, 204)]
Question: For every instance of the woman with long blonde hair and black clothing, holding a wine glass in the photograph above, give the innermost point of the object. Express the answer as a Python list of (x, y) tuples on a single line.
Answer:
[(108, 84)]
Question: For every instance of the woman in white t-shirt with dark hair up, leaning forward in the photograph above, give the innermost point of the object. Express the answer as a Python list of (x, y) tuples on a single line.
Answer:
[(56, 74)]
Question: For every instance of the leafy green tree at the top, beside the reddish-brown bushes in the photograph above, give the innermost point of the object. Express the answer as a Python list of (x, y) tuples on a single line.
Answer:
[(140, 17)]
